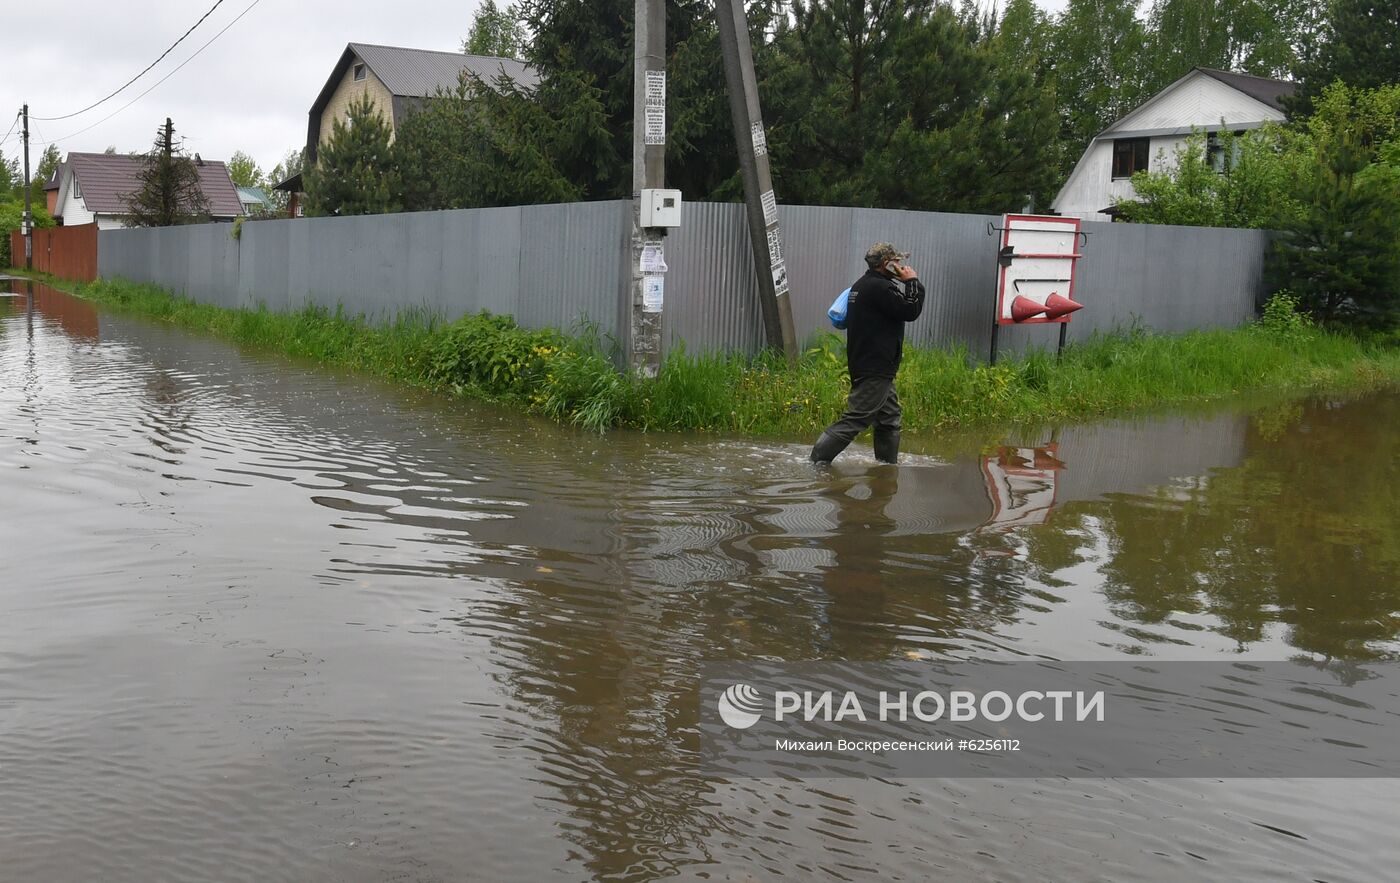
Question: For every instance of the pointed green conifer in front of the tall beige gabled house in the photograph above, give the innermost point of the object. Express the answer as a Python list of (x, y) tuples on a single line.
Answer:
[(355, 171)]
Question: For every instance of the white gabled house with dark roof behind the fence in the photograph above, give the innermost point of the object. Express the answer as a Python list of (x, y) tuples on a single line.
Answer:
[(1150, 136)]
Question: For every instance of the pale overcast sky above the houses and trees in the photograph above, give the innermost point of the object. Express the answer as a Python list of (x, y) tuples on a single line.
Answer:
[(250, 90)]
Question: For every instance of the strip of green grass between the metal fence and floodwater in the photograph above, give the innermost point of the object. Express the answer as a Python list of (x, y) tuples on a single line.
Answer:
[(572, 380)]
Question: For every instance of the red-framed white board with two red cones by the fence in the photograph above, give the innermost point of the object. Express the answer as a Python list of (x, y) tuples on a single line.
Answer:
[(1035, 274)]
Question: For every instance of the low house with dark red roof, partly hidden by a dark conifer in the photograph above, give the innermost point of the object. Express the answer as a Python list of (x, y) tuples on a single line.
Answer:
[(94, 190)]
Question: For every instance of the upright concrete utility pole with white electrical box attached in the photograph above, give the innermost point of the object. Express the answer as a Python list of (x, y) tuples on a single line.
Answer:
[(649, 171)]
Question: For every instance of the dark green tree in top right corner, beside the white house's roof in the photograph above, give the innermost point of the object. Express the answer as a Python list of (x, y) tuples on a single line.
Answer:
[(1360, 47)]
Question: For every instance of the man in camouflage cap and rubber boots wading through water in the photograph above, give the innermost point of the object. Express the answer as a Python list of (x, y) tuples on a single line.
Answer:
[(876, 321)]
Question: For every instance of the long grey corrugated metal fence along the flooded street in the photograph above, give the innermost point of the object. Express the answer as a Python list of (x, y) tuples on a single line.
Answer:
[(559, 265)]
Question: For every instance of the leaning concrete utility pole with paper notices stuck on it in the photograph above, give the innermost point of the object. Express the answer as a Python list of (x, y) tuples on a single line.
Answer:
[(765, 234)]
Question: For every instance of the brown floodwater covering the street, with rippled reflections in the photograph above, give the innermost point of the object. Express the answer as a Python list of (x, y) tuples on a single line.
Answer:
[(264, 622)]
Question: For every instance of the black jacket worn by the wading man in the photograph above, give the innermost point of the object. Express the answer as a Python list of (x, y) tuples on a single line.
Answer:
[(877, 314)]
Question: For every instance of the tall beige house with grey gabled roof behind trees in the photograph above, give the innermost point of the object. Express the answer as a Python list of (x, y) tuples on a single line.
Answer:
[(397, 80)]
